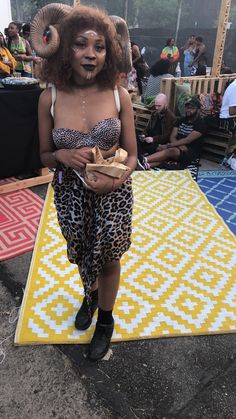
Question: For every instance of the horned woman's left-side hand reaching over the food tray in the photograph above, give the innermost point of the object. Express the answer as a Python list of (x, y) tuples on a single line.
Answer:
[(76, 158)]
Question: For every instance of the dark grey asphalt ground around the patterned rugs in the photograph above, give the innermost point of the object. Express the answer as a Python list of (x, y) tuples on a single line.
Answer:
[(185, 377)]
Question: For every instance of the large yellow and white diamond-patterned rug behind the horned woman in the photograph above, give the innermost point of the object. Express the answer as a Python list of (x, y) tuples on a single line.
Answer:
[(178, 277)]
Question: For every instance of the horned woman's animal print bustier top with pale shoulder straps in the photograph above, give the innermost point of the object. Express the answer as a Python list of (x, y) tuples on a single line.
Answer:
[(105, 134)]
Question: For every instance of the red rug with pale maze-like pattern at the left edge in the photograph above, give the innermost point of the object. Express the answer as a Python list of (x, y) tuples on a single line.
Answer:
[(20, 213)]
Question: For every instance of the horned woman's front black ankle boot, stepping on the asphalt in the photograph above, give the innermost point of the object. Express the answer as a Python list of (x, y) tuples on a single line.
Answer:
[(100, 342)]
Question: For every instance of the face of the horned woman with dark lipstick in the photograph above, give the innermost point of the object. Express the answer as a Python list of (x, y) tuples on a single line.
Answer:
[(88, 55)]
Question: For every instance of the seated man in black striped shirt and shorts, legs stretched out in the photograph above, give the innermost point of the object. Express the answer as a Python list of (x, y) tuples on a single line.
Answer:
[(185, 140)]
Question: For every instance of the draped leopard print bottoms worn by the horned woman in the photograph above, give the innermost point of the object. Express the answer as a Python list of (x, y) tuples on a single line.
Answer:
[(97, 228)]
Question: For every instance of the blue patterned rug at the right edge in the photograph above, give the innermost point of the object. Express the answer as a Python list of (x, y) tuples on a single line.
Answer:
[(220, 189)]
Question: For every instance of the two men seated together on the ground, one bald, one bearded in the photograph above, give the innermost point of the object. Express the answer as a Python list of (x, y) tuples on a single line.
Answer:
[(167, 138)]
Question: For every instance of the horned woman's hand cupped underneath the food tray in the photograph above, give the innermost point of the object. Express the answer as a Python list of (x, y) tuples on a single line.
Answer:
[(99, 183)]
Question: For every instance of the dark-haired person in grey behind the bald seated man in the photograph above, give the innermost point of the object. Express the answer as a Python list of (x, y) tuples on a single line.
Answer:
[(159, 70)]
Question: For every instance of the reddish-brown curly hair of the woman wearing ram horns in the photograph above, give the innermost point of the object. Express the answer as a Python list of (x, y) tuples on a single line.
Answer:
[(58, 70)]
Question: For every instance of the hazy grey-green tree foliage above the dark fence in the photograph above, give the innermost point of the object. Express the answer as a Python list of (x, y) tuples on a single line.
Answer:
[(141, 13)]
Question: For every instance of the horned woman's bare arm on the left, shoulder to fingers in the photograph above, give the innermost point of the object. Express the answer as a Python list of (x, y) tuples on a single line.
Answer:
[(75, 158)]
